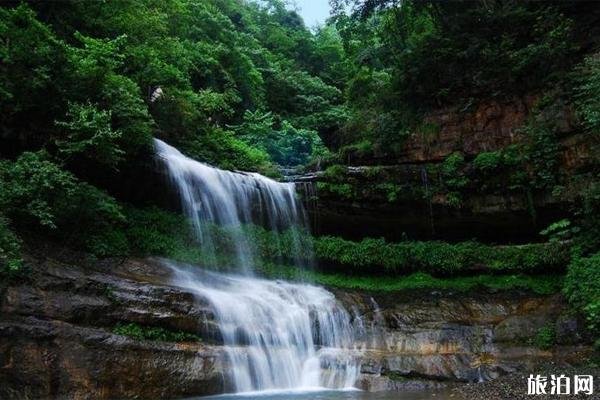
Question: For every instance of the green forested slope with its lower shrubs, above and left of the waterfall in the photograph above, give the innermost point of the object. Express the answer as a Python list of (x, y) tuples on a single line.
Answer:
[(85, 86)]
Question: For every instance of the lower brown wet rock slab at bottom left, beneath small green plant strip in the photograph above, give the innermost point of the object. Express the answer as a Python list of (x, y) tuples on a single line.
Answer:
[(51, 359)]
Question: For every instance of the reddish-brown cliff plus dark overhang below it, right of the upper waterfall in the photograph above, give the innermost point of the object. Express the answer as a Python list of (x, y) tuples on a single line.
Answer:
[(390, 193)]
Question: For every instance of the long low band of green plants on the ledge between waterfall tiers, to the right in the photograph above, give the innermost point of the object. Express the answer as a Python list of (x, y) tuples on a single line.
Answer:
[(376, 256)]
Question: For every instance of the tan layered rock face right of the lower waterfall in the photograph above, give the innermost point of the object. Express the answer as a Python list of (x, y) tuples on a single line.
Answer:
[(443, 337)]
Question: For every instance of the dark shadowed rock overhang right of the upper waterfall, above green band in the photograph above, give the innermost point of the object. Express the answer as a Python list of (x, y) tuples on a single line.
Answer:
[(400, 201)]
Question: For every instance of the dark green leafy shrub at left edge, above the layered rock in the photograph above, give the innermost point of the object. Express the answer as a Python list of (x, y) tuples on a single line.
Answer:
[(38, 193)]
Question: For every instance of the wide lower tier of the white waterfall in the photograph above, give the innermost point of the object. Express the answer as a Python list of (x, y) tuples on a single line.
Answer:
[(276, 334)]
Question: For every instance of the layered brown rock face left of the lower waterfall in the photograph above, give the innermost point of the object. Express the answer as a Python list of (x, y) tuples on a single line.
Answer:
[(56, 337)]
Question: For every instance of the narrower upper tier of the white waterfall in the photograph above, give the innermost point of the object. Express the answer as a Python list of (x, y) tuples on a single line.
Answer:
[(210, 196)]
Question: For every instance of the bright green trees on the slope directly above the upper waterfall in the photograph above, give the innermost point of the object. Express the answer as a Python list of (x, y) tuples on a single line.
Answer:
[(100, 80)]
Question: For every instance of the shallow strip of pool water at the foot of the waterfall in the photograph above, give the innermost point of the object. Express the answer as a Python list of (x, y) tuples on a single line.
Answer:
[(444, 394)]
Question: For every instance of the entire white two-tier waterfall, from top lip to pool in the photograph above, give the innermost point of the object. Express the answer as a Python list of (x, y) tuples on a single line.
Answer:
[(278, 335)]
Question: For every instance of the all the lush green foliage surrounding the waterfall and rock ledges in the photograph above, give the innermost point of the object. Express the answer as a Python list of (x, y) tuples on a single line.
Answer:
[(84, 86)]
